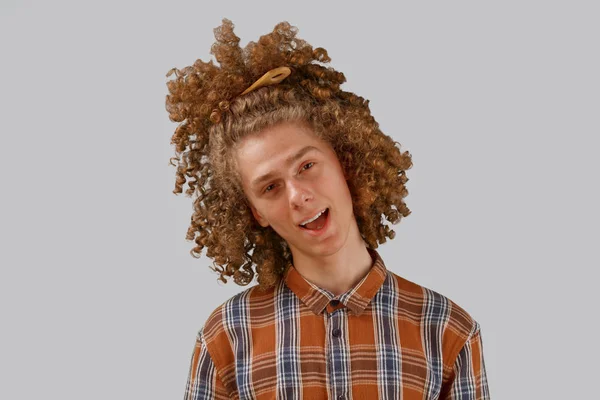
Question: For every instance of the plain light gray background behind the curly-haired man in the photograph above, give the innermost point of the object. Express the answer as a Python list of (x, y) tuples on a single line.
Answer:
[(498, 102)]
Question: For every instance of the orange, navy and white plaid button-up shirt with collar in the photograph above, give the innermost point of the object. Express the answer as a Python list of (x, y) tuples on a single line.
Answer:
[(386, 338)]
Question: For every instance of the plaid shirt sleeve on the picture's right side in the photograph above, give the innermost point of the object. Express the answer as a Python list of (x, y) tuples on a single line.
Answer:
[(469, 379)]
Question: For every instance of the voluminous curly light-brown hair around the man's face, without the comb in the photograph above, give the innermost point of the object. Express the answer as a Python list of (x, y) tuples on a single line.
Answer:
[(213, 119)]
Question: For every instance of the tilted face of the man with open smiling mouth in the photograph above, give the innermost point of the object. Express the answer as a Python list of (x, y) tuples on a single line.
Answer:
[(298, 189)]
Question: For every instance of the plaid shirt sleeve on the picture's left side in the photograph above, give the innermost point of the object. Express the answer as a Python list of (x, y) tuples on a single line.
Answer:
[(203, 382)]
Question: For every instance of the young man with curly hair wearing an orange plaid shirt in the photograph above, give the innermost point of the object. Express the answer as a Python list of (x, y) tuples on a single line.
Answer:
[(292, 176)]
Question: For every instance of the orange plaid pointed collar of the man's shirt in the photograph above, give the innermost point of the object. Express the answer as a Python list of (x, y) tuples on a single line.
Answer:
[(356, 298)]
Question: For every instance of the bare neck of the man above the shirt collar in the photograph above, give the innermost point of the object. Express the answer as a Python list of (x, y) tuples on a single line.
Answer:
[(338, 272)]
